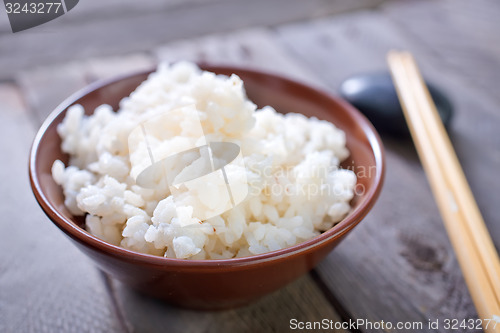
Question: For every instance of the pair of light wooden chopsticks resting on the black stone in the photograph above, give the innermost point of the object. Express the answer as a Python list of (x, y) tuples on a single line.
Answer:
[(469, 236)]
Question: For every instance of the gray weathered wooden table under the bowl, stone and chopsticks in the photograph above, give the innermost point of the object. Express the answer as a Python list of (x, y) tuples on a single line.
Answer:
[(396, 266)]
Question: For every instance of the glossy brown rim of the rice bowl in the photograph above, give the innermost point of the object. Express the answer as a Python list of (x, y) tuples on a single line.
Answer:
[(86, 238)]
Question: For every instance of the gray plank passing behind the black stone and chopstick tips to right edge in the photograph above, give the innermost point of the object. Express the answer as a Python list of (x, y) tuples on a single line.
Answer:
[(351, 44)]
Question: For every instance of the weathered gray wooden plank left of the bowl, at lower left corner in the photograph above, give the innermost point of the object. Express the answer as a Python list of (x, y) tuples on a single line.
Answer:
[(46, 284)]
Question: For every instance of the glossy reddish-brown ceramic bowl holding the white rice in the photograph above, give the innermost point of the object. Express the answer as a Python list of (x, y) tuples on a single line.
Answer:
[(213, 284)]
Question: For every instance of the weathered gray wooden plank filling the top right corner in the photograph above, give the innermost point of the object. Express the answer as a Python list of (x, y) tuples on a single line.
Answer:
[(465, 34)]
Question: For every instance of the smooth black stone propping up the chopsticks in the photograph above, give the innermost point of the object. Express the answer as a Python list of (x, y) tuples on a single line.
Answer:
[(375, 96)]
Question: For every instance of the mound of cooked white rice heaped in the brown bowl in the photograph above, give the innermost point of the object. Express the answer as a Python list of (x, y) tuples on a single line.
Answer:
[(296, 189)]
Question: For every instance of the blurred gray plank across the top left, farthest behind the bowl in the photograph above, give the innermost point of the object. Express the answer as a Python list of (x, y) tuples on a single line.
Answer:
[(131, 26)]
